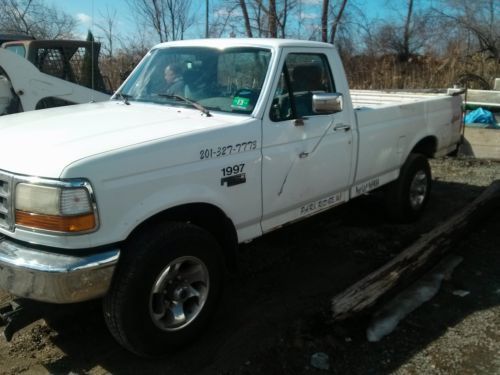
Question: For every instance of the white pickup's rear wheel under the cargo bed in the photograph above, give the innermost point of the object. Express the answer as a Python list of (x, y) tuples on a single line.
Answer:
[(407, 197)]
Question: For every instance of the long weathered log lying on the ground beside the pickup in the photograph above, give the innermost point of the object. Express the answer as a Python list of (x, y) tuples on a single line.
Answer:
[(401, 270)]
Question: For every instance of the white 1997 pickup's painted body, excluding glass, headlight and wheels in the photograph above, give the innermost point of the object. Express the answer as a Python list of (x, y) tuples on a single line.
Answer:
[(143, 159)]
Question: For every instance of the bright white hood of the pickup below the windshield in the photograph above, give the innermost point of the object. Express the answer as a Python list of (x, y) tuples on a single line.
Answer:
[(42, 143)]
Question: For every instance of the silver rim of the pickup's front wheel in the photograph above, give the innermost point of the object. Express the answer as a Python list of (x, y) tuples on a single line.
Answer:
[(179, 293)]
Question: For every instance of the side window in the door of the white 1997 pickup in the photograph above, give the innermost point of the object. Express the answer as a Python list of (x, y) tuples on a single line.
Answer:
[(302, 76)]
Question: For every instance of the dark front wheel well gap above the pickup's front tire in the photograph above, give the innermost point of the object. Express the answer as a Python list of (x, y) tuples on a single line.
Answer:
[(206, 216)]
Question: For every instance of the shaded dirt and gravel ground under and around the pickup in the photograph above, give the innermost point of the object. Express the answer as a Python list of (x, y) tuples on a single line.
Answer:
[(274, 314)]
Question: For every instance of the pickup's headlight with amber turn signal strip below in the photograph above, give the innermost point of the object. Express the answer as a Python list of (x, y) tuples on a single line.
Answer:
[(62, 207)]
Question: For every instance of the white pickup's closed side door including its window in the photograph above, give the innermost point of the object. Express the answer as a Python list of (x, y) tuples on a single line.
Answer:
[(307, 156)]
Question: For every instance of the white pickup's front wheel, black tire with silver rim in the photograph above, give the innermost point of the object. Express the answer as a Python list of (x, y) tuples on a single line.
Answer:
[(164, 289)]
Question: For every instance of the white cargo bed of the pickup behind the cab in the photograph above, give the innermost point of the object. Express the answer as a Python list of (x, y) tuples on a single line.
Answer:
[(390, 125)]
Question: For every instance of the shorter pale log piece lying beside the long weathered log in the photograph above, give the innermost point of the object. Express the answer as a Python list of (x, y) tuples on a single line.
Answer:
[(387, 318)]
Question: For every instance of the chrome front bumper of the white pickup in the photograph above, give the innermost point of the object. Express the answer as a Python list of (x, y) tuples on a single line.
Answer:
[(52, 277)]
